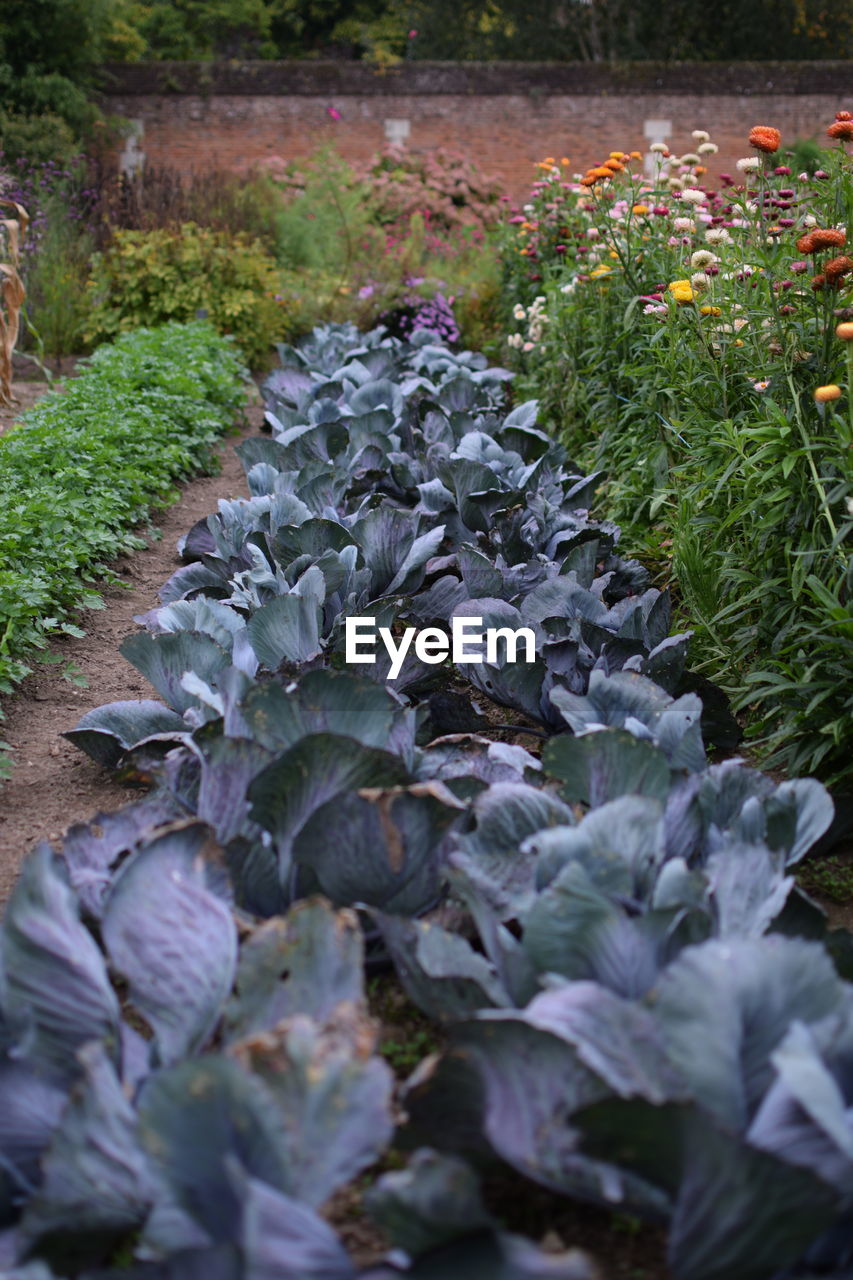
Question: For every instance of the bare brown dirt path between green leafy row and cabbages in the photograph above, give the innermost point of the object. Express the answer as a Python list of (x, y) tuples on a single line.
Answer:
[(53, 784)]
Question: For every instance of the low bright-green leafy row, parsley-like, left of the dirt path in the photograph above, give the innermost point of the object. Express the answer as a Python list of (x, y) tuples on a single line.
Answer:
[(84, 468)]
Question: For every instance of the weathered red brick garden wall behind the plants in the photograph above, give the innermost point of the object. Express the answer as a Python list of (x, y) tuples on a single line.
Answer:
[(504, 116)]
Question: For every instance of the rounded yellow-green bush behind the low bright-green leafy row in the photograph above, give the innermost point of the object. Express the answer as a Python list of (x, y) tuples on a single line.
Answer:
[(149, 278)]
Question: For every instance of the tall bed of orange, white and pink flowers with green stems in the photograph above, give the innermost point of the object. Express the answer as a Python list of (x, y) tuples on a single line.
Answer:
[(692, 337)]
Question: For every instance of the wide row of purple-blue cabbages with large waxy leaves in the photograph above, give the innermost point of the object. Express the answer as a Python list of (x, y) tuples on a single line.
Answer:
[(642, 1009)]
